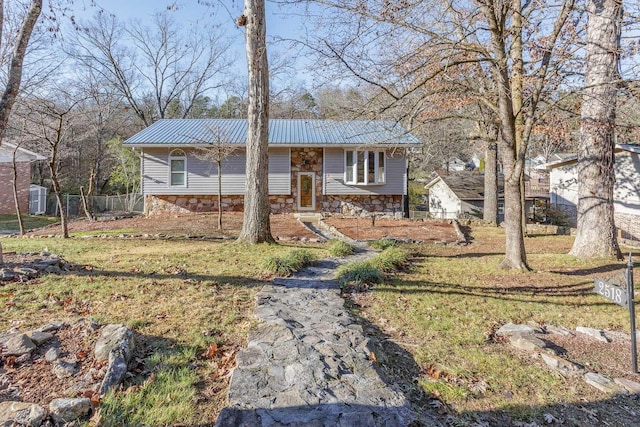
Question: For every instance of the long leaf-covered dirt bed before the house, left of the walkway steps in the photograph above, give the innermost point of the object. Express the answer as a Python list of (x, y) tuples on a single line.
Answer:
[(283, 227)]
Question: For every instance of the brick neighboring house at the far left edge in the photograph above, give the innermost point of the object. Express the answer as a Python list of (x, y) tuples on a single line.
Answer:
[(23, 167)]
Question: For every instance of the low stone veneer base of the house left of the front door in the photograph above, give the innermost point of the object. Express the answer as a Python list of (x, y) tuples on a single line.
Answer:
[(158, 204)]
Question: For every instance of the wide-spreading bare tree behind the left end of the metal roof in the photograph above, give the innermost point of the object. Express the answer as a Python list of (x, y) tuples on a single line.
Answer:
[(160, 71)]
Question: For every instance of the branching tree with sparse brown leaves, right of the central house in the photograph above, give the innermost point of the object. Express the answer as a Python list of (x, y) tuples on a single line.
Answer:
[(417, 53)]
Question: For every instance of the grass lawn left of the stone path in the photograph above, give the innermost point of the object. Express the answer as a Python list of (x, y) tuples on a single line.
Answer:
[(170, 293)]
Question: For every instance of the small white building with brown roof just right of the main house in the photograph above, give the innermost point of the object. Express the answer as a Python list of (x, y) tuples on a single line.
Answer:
[(462, 194)]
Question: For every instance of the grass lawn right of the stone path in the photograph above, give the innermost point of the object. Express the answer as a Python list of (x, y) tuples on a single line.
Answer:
[(451, 299)]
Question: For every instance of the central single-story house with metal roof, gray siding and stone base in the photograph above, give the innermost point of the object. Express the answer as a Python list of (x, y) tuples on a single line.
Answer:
[(314, 165)]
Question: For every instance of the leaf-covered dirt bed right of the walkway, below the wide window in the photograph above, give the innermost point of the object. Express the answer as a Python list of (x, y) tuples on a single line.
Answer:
[(363, 229)]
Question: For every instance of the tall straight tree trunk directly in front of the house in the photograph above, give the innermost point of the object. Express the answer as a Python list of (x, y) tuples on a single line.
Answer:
[(255, 226)]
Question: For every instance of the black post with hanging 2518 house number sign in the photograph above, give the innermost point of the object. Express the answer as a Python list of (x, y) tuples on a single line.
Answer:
[(613, 289)]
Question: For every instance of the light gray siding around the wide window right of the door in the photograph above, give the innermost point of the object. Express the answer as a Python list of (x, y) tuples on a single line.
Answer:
[(394, 170)]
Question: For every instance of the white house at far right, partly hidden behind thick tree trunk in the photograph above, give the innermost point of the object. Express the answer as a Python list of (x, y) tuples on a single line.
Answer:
[(626, 196)]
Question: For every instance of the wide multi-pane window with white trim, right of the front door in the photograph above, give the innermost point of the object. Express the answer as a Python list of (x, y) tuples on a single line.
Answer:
[(364, 167)]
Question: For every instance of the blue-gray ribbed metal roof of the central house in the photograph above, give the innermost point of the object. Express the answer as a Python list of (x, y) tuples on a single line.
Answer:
[(281, 132)]
